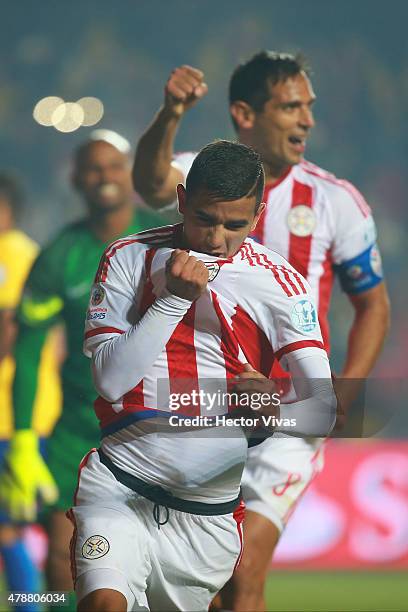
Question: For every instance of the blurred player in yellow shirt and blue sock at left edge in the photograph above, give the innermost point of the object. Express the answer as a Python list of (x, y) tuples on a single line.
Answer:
[(17, 253)]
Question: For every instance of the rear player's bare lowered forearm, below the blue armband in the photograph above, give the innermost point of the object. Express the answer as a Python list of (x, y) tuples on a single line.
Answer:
[(366, 338)]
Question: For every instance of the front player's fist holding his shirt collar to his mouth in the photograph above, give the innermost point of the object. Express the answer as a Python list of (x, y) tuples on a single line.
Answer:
[(186, 276)]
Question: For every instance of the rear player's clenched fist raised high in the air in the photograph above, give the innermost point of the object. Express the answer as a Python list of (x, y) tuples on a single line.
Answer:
[(183, 89)]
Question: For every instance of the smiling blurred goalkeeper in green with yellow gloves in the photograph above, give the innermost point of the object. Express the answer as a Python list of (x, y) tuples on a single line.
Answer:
[(57, 289)]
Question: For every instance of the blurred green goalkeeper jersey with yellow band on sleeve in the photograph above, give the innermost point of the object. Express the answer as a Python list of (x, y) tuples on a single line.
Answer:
[(57, 290)]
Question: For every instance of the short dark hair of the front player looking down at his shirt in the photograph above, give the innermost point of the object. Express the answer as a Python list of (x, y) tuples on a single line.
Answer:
[(227, 171)]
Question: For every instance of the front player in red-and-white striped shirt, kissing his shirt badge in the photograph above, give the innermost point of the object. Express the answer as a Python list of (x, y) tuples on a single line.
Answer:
[(156, 510)]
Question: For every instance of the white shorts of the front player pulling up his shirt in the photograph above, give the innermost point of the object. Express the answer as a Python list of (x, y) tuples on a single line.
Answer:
[(117, 545)]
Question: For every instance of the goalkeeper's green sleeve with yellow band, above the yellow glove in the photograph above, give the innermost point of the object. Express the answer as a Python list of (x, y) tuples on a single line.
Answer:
[(40, 308)]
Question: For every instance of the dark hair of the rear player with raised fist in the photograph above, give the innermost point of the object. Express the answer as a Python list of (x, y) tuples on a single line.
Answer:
[(251, 81)]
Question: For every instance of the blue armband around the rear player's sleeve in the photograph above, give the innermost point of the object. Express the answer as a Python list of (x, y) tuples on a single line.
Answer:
[(361, 273)]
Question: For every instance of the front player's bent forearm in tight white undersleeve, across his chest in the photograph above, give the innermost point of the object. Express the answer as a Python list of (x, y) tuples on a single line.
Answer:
[(120, 363)]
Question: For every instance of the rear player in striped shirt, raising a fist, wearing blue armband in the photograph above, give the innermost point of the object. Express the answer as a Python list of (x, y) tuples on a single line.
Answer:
[(321, 224)]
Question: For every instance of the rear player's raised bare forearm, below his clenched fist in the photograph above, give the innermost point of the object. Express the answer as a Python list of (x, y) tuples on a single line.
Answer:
[(153, 158)]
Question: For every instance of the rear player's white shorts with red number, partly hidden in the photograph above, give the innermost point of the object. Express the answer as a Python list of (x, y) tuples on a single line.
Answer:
[(276, 474)]
